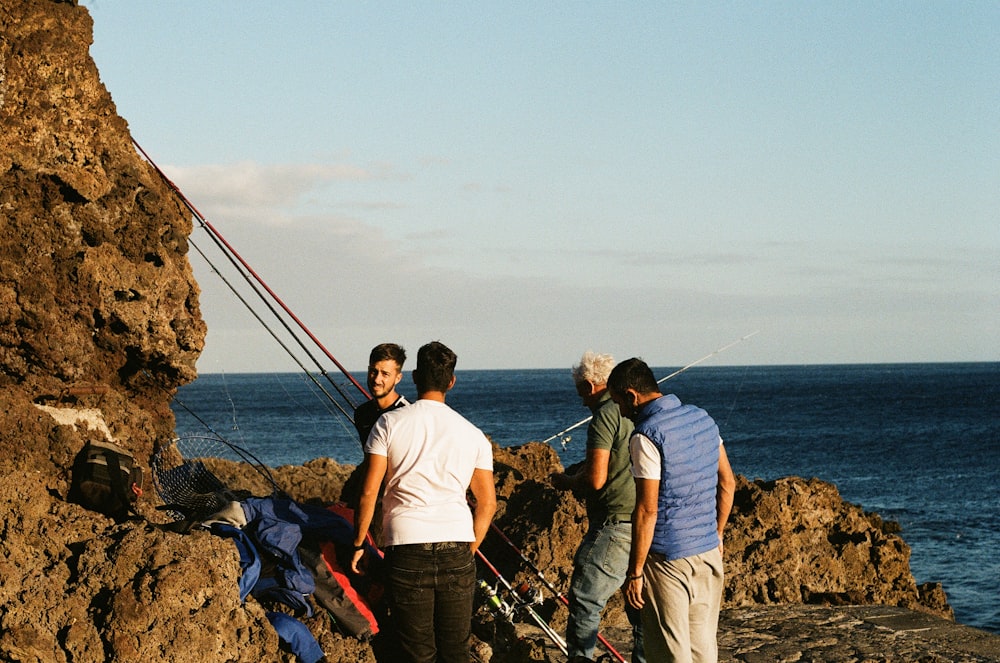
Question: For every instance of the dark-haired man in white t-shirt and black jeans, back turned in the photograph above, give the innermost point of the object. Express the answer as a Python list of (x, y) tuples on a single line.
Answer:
[(429, 456)]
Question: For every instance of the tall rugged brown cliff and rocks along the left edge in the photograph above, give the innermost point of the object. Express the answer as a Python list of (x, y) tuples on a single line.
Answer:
[(99, 323)]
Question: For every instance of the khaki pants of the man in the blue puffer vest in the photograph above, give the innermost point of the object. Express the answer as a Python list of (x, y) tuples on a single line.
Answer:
[(680, 617)]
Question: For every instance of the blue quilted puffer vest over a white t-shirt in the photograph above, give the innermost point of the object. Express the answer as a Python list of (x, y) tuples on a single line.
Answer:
[(688, 440)]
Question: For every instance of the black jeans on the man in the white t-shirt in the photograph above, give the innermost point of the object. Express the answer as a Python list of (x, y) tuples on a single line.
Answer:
[(431, 592)]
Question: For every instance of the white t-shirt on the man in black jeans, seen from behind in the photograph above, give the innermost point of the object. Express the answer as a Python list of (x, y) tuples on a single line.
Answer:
[(431, 452)]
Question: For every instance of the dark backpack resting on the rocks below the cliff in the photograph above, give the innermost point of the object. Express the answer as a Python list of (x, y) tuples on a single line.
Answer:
[(106, 479)]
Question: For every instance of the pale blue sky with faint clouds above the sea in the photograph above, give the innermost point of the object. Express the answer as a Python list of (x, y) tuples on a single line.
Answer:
[(524, 181)]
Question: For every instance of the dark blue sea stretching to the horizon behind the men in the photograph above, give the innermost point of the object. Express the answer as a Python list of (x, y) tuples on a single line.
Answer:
[(916, 443)]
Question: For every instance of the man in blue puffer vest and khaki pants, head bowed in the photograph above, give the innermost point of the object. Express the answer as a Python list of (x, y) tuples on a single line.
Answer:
[(684, 493)]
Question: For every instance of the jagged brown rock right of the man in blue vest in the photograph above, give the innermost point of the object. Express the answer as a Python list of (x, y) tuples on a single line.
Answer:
[(797, 541)]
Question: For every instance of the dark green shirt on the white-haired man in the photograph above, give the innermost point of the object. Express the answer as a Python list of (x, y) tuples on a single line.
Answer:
[(609, 430)]
